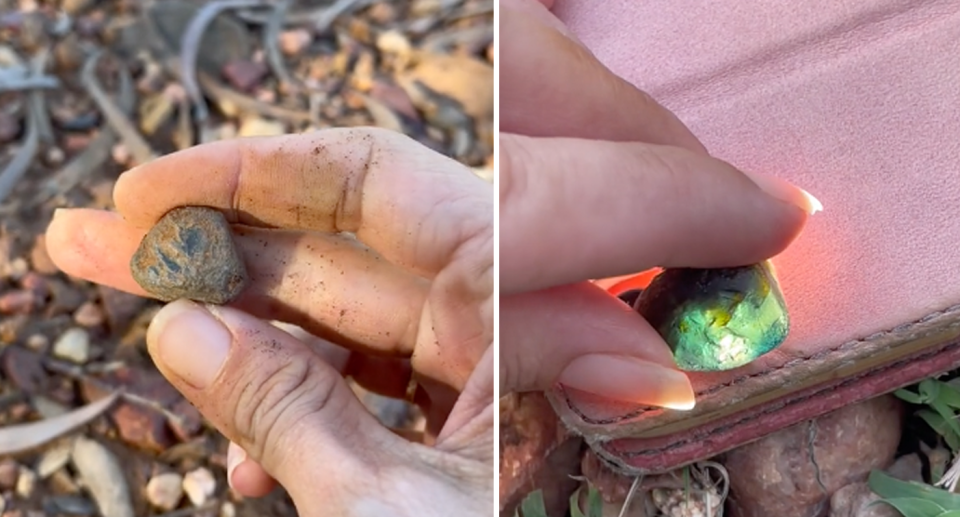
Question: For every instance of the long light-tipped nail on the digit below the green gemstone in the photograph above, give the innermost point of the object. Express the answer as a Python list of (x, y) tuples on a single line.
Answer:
[(630, 379)]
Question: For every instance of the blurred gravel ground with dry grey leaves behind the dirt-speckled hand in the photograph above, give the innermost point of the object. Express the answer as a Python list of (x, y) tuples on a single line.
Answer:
[(90, 88)]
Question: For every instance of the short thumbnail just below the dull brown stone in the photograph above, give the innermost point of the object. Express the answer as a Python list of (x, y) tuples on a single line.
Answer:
[(186, 339)]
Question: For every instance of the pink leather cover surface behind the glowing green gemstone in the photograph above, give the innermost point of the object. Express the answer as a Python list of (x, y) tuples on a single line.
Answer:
[(856, 101)]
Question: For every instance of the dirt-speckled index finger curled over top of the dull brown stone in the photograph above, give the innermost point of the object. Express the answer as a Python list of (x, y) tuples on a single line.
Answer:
[(409, 203)]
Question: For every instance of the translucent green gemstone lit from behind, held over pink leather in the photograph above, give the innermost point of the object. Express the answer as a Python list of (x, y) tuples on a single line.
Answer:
[(716, 319)]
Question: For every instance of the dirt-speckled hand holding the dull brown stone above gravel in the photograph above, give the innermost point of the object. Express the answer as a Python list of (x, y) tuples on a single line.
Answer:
[(412, 291)]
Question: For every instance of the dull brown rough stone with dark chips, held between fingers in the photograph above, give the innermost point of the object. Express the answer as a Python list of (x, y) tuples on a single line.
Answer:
[(190, 253)]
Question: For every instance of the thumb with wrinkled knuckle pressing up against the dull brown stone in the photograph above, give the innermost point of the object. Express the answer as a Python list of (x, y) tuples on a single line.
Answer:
[(270, 394)]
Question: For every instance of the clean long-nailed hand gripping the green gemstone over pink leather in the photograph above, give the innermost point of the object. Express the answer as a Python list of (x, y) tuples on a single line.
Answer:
[(598, 180)]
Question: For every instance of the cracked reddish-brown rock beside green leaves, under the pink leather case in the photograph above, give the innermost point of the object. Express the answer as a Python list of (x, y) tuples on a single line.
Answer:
[(795, 471)]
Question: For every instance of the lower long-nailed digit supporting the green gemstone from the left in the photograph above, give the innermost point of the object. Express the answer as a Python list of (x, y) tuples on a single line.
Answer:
[(587, 340)]
